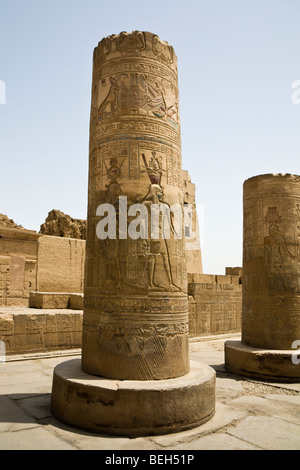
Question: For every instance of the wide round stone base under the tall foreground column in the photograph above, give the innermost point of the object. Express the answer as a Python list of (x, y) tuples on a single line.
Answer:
[(129, 407)]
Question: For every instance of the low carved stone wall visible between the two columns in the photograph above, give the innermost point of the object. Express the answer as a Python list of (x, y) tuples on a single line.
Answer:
[(215, 304)]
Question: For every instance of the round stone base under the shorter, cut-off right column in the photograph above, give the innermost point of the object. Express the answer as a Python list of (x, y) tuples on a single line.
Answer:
[(265, 364)]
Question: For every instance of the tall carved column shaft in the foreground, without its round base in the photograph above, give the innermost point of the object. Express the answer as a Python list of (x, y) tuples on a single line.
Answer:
[(135, 323)]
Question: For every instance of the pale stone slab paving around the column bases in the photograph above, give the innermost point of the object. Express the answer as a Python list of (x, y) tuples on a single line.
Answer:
[(250, 415)]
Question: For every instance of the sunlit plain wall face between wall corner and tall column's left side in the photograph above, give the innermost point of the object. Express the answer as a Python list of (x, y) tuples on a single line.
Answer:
[(60, 264)]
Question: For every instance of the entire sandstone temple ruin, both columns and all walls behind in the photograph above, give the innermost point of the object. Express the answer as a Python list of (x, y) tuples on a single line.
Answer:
[(130, 300)]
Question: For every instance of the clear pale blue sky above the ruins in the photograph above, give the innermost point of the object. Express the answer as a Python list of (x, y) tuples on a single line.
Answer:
[(237, 61)]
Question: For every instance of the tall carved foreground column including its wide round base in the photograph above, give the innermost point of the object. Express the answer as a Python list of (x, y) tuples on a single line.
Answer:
[(135, 322)]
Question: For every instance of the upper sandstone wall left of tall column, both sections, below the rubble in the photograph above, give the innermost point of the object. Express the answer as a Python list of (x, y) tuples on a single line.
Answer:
[(30, 262)]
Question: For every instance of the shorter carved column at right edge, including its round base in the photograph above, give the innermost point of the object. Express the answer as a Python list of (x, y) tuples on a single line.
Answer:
[(271, 280)]
